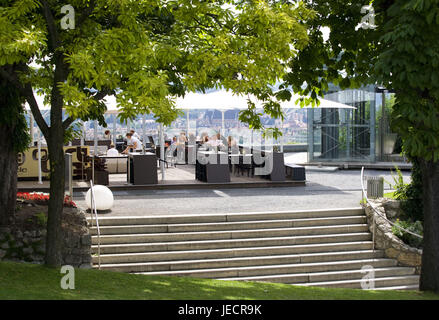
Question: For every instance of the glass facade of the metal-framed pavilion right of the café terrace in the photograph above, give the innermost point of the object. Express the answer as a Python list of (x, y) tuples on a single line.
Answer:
[(344, 134)]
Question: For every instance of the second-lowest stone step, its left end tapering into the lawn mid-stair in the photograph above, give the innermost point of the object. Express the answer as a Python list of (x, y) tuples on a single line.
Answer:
[(322, 279)]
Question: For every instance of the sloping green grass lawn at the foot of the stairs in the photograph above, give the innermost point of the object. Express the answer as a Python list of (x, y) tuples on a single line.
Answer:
[(30, 281)]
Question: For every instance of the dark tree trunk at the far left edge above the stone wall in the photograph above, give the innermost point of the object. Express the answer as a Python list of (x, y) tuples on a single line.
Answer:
[(8, 174)]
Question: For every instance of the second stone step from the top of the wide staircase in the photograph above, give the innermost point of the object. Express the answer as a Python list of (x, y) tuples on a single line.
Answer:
[(224, 226)]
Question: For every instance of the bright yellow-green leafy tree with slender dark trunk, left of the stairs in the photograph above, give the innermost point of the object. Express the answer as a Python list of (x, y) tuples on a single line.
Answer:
[(145, 53)]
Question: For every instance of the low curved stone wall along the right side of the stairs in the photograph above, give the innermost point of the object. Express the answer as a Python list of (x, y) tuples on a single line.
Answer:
[(385, 240)]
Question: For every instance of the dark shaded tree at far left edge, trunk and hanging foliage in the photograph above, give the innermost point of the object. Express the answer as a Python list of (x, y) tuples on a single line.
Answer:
[(13, 139)]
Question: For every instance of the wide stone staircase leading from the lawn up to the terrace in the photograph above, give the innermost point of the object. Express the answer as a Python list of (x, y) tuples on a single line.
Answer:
[(326, 248)]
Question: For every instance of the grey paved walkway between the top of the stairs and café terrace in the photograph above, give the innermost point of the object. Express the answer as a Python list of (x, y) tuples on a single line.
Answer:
[(323, 190)]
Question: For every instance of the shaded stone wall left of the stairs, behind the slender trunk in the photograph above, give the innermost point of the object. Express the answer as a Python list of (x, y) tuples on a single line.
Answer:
[(28, 244)]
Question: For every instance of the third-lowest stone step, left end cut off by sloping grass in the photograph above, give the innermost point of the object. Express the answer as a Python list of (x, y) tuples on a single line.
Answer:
[(236, 273)]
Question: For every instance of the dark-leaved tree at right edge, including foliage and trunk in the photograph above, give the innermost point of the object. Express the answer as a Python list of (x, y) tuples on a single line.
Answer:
[(402, 53)]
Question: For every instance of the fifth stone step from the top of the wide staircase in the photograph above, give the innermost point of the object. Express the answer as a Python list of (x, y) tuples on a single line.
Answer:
[(228, 252)]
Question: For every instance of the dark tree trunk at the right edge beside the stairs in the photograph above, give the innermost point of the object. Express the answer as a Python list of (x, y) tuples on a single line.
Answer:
[(430, 254)]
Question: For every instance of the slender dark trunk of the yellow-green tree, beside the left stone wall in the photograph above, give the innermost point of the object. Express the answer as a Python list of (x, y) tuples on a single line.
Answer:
[(56, 200)]
